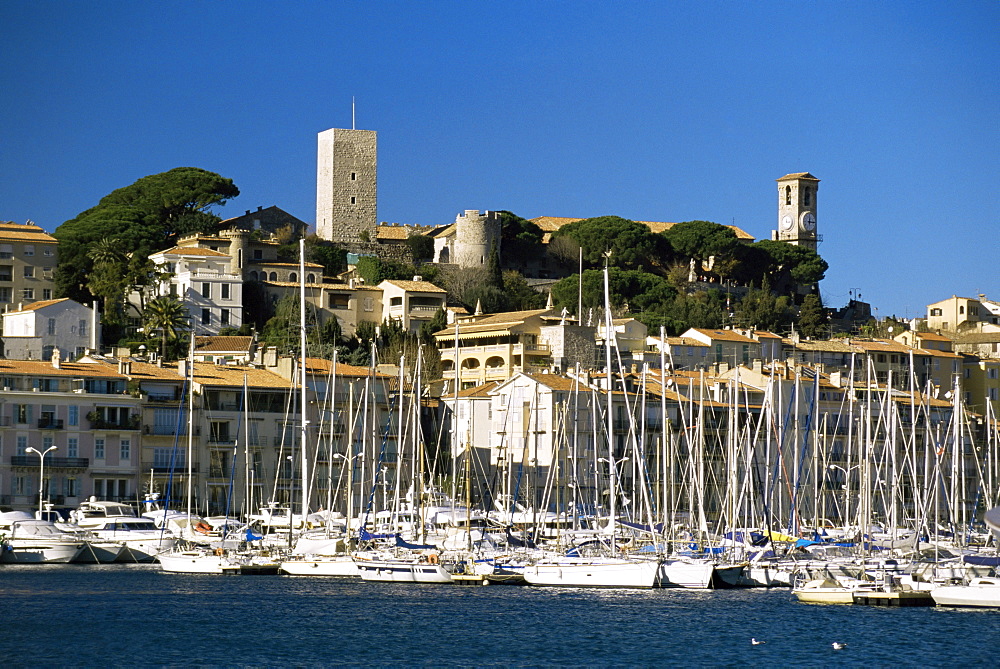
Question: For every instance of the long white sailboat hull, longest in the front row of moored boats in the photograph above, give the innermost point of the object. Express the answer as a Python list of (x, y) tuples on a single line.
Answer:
[(594, 572)]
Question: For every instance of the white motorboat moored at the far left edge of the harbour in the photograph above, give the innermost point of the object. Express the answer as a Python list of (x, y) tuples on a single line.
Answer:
[(33, 541)]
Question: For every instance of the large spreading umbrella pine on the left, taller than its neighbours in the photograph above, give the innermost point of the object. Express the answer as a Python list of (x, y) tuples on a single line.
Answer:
[(144, 217)]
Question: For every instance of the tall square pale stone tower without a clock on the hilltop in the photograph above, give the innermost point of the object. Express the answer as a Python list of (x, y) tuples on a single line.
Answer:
[(346, 185)]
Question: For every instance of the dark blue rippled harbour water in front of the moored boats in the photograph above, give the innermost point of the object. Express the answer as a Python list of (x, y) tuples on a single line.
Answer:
[(135, 615)]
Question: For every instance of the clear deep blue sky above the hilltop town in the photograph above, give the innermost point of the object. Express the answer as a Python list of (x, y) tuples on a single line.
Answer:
[(664, 111)]
